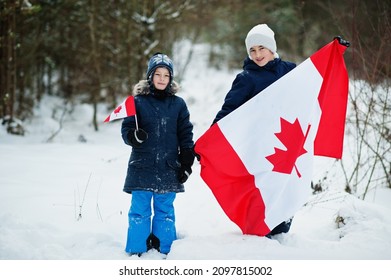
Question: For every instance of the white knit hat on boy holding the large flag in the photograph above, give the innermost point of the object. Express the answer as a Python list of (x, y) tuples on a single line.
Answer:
[(261, 35)]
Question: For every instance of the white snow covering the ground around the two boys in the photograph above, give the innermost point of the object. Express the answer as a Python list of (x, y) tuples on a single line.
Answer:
[(63, 200)]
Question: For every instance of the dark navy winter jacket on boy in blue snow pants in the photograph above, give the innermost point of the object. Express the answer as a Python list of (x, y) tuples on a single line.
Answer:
[(154, 165)]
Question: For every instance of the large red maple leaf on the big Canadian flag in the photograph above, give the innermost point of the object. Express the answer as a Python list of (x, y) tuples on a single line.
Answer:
[(292, 137)]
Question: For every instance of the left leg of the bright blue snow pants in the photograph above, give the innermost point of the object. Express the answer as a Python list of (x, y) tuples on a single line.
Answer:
[(139, 222)]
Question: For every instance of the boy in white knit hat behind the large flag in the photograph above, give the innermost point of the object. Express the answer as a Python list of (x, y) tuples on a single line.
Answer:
[(261, 68)]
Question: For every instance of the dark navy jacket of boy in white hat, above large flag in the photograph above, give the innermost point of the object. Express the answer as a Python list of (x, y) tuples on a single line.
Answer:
[(252, 80)]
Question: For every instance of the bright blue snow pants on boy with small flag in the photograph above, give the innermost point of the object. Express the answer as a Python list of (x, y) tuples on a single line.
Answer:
[(140, 215)]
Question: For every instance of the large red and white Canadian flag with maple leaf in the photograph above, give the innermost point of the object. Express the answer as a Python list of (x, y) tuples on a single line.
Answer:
[(258, 160)]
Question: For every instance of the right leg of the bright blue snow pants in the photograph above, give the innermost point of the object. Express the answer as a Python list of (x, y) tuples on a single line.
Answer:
[(163, 222)]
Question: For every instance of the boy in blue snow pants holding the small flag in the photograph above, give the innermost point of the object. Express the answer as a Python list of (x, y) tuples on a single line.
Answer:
[(161, 136)]
